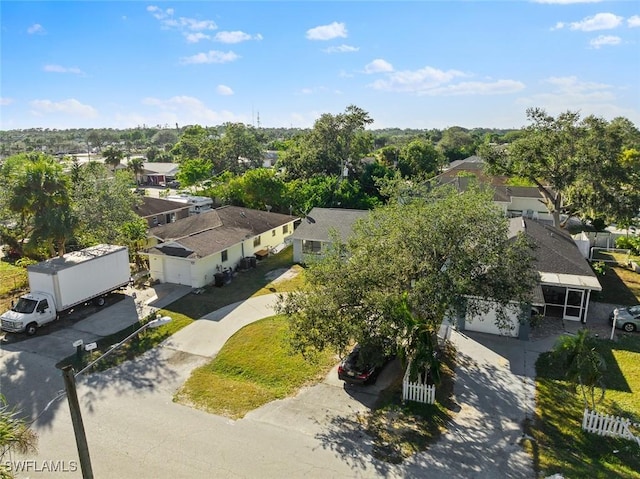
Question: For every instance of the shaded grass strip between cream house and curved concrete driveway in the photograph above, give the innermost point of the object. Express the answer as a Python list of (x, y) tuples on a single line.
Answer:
[(245, 284)]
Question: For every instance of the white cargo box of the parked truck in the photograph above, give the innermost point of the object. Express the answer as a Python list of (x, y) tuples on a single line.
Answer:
[(82, 275)]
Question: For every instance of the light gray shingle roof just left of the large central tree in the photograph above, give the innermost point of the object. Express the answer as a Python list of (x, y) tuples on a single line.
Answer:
[(320, 221)]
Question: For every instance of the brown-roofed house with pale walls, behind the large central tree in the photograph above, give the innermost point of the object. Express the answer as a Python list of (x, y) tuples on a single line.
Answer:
[(515, 201)]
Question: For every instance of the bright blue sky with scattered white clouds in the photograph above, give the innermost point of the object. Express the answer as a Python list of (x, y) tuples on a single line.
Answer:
[(417, 64)]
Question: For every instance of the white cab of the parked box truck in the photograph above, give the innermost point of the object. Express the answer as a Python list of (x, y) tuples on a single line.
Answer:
[(29, 313)]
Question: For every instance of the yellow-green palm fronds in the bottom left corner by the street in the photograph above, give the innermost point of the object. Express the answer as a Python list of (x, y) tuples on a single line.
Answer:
[(15, 434)]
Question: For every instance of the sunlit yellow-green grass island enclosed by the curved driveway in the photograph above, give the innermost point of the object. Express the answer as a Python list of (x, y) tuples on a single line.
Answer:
[(254, 367)]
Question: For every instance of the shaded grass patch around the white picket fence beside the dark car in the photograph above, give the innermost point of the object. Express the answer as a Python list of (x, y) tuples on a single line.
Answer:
[(401, 430)]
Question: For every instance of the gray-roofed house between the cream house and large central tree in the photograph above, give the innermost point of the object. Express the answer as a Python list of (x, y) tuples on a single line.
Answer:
[(312, 237)]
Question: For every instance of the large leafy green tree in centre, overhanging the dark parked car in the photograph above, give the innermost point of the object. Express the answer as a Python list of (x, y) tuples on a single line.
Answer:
[(406, 267)]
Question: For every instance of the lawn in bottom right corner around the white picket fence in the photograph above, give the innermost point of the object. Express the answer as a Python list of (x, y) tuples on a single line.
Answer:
[(561, 445)]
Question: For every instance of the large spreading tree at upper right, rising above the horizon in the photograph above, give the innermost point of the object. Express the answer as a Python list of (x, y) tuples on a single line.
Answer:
[(574, 163)]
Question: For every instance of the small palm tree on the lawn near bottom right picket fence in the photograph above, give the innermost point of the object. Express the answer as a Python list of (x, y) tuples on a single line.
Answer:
[(577, 356)]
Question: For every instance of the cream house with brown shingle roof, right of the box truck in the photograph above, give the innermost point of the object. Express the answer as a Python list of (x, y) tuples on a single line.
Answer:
[(192, 250)]
